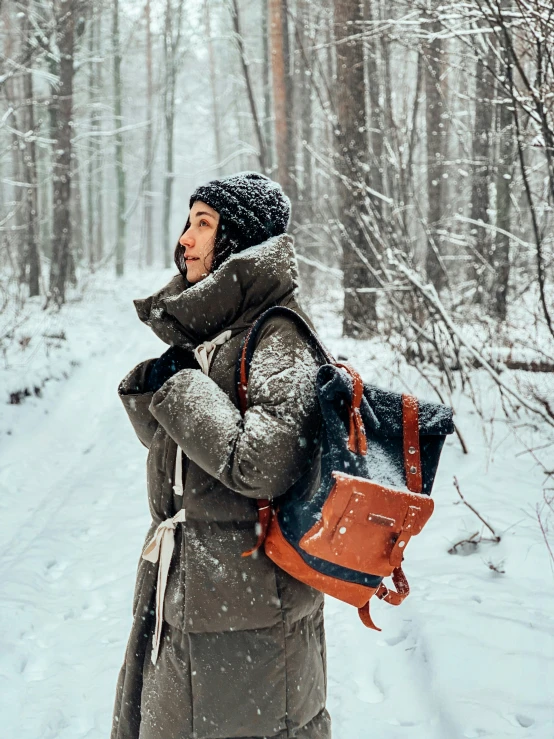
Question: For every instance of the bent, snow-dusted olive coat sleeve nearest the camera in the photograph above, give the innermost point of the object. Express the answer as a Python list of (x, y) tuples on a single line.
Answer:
[(264, 453)]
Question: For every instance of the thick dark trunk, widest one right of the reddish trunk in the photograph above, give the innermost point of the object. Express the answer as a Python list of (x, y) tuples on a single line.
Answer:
[(351, 161)]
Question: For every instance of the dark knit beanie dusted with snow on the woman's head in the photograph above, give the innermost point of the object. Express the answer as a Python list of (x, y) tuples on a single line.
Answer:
[(254, 204)]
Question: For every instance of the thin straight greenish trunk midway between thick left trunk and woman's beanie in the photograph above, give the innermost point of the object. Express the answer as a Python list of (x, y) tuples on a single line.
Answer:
[(118, 139)]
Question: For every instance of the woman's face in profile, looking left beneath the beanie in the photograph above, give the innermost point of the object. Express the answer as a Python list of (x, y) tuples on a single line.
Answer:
[(198, 240)]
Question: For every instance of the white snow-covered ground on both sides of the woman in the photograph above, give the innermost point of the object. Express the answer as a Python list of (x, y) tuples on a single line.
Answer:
[(469, 654)]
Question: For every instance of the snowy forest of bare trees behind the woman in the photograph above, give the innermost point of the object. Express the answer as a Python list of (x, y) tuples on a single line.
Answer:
[(415, 140)]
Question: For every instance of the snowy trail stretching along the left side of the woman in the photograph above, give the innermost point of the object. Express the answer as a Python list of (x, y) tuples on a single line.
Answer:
[(74, 516)]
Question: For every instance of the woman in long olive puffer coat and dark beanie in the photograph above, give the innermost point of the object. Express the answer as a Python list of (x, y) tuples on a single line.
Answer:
[(223, 645)]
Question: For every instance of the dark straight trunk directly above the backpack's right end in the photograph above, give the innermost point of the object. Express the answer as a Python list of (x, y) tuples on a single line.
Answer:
[(435, 149)]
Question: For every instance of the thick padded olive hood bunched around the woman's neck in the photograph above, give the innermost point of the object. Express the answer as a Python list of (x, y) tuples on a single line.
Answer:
[(232, 297)]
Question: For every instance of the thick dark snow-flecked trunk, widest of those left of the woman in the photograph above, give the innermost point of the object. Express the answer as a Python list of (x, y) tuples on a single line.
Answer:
[(62, 104)]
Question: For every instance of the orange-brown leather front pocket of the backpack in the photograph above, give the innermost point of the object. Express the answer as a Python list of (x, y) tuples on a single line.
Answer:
[(366, 526)]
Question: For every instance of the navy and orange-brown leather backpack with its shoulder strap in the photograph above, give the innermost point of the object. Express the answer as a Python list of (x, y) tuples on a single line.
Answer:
[(378, 459)]
